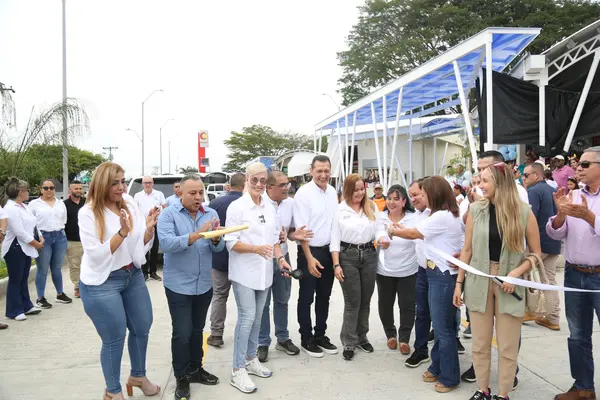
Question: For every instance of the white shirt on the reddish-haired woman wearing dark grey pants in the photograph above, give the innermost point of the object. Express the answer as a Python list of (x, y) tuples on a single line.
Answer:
[(352, 227)]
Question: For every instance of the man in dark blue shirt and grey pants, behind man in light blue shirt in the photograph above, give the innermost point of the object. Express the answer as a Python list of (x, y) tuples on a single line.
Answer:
[(221, 283)]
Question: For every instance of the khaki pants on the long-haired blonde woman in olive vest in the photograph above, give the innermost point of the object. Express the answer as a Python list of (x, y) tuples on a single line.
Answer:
[(508, 332)]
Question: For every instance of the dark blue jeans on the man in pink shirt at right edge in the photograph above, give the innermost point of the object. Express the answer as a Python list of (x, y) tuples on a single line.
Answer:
[(580, 308)]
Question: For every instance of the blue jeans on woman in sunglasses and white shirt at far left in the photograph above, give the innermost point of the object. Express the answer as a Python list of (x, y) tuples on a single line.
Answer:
[(51, 257)]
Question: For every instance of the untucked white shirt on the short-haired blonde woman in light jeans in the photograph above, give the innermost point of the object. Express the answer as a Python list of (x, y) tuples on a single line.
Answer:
[(248, 269)]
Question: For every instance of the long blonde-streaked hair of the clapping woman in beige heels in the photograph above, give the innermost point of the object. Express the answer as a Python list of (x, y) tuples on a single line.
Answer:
[(102, 181)]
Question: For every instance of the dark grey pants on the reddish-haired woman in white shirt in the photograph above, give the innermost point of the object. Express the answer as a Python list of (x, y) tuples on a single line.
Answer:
[(358, 288)]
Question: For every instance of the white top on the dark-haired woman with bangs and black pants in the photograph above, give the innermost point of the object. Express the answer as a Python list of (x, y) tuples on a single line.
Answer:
[(400, 259)]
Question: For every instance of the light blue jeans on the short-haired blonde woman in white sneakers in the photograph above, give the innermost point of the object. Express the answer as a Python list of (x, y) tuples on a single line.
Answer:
[(250, 304)]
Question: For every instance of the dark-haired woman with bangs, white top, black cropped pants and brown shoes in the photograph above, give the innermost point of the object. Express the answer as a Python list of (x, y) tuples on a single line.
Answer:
[(397, 270)]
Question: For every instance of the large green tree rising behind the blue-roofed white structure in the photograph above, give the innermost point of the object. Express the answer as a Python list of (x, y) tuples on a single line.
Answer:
[(393, 37)]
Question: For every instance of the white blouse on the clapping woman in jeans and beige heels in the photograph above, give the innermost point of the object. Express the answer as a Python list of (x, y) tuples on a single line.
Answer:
[(98, 262)]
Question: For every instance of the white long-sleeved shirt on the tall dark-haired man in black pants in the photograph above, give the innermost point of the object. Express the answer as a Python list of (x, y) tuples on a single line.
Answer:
[(316, 208)]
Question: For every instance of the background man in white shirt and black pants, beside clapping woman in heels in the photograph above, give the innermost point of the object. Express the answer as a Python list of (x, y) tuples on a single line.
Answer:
[(147, 200)]
